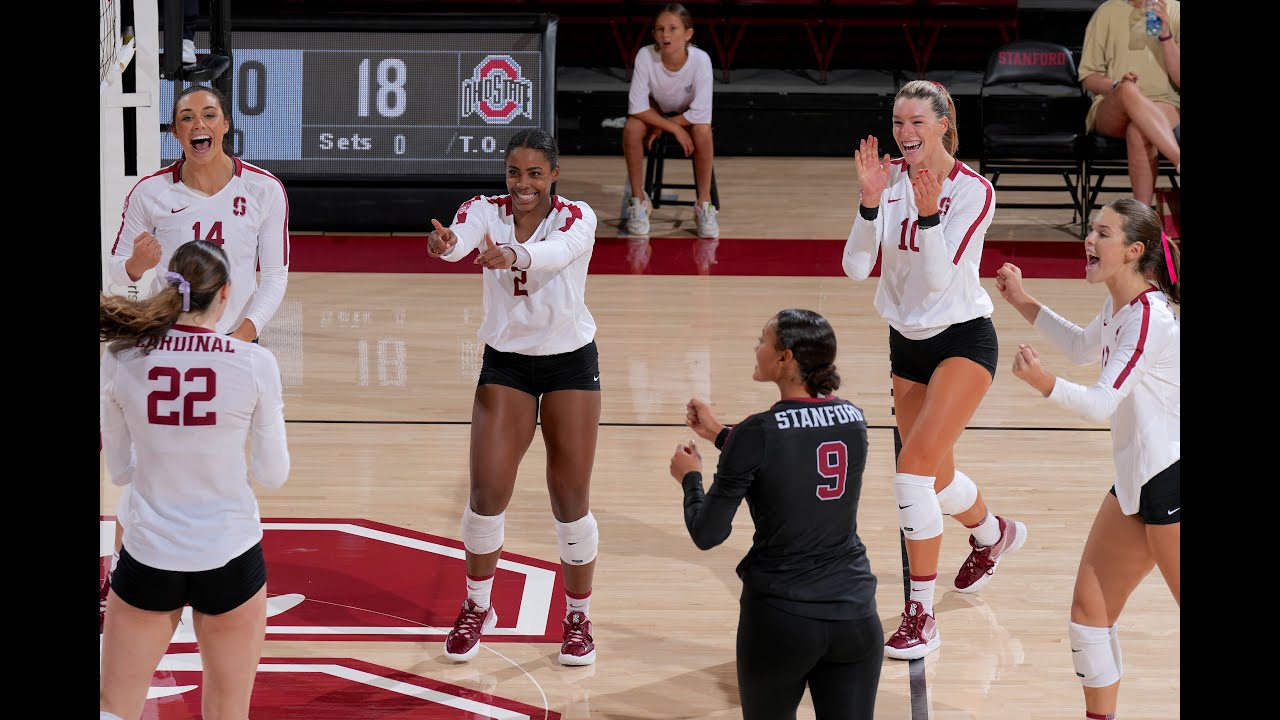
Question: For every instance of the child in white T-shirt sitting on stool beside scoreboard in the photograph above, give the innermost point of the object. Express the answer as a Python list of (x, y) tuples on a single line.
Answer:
[(671, 92)]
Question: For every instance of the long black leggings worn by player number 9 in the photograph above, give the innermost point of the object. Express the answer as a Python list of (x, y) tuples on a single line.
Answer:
[(779, 654)]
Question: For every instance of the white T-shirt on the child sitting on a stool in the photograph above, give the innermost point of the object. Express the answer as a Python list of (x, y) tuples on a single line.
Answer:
[(688, 90)]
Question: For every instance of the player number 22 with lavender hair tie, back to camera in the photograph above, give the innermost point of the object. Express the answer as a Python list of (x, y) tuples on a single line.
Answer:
[(180, 403)]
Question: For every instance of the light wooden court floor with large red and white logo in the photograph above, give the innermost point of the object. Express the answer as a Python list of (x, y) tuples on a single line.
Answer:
[(380, 372)]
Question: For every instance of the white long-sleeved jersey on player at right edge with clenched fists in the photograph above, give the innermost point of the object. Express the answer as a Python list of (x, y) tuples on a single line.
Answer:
[(1140, 389)]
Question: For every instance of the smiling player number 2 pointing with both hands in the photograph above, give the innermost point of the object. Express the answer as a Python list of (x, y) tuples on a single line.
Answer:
[(540, 357)]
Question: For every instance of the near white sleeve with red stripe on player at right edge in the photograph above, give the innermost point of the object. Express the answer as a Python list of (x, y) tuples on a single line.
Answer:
[(1137, 349)]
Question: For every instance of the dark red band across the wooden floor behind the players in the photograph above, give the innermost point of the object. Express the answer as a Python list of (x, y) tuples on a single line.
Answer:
[(669, 257)]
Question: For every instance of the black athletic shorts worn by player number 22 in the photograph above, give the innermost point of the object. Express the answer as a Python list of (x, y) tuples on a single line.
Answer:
[(212, 593)]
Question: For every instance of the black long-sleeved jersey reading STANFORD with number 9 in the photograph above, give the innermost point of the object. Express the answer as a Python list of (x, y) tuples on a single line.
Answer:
[(801, 468)]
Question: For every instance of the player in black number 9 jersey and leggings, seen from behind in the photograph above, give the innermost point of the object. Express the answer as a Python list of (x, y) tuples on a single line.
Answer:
[(808, 608)]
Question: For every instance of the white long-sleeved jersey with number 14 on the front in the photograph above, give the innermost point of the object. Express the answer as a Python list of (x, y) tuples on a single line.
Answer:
[(249, 218)]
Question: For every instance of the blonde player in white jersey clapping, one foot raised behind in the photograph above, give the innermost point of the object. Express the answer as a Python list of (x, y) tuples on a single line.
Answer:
[(926, 216)]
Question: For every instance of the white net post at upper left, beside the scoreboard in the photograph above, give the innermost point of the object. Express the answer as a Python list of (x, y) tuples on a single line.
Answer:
[(129, 117)]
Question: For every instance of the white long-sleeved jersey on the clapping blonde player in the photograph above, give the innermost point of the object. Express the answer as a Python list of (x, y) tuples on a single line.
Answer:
[(929, 276)]
